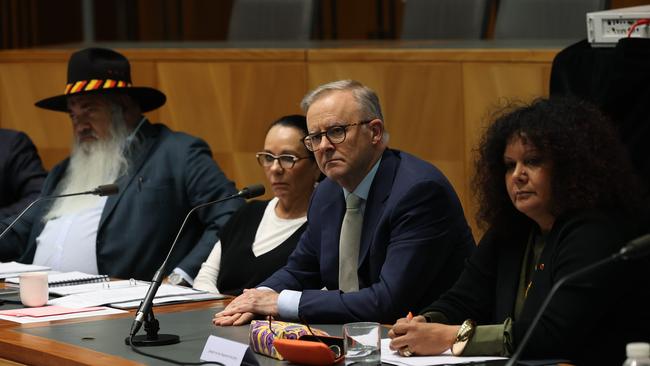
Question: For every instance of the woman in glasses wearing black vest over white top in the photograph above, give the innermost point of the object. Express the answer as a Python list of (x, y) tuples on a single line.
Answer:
[(259, 237)]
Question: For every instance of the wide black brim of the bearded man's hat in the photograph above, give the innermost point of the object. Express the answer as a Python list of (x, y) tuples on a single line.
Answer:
[(148, 98)]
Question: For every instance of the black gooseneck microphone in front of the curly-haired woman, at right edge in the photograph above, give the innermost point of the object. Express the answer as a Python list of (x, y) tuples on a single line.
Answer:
[(636, 248)]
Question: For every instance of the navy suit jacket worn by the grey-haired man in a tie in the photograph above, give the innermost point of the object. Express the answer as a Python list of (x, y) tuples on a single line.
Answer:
[(413, 245)]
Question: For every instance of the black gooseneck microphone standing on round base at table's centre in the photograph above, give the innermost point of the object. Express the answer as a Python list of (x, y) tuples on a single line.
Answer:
[(145, 306)]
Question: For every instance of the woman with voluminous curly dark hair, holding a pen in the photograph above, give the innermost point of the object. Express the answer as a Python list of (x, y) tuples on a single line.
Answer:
[(556, 193)]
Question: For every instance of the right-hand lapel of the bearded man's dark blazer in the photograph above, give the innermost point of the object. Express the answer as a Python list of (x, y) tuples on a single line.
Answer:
[(138, 157)]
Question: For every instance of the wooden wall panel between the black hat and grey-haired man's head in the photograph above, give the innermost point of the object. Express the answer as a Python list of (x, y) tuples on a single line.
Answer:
[(230, 105)]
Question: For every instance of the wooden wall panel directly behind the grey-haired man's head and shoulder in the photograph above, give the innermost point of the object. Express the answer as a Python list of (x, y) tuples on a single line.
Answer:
[(421, 103)]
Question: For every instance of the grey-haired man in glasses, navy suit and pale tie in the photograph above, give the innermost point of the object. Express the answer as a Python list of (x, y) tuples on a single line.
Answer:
[(412, 240)]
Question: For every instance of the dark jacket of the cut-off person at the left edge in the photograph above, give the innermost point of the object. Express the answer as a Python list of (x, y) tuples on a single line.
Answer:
[(21, 172)]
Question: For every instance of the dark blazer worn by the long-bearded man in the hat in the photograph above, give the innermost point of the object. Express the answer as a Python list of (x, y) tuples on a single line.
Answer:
[(170, 173)]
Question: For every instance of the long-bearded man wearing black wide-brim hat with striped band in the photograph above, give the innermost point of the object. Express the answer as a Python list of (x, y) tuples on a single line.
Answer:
[(161, 175)]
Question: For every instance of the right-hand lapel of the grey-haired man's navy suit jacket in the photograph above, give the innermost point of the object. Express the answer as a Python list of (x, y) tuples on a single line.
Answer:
[(380, 190)]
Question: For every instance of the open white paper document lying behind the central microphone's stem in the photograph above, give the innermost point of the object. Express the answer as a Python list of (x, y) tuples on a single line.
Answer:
[(113, 295)]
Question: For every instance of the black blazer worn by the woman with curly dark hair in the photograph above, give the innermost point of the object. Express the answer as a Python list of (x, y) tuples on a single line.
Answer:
[(589, 320)]
